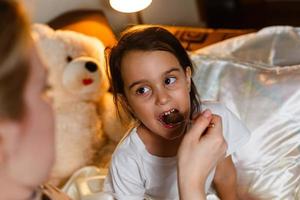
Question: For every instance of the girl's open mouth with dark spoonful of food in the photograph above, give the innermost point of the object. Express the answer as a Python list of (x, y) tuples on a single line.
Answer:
[(171, 118)]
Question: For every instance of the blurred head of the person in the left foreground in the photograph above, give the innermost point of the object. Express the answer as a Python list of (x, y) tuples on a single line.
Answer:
[(26, 120)]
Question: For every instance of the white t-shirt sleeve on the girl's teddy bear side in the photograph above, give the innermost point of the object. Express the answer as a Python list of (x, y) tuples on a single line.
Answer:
[(124, 180)]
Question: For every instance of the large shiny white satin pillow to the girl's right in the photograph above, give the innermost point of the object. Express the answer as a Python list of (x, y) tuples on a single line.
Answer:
[(258, 77)]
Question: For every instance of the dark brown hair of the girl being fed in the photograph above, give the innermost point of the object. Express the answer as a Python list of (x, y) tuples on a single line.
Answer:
[(146, 39)]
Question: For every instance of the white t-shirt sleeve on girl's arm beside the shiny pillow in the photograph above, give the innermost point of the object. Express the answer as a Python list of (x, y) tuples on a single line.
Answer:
[(235, 133)]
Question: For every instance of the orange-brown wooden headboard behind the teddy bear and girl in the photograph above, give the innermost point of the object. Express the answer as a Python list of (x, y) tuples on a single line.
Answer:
[(94, 23)]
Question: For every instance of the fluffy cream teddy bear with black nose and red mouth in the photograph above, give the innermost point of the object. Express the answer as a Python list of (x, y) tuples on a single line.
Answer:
[(83, 107)]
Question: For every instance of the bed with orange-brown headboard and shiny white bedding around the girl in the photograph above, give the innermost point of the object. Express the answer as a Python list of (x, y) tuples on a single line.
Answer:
[(256, 75)]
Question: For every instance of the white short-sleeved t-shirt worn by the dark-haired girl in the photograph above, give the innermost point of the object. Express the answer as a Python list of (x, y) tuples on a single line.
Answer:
[(136, 174)]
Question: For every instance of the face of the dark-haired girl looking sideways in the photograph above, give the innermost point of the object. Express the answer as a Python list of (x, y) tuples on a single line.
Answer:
[(156, 85)]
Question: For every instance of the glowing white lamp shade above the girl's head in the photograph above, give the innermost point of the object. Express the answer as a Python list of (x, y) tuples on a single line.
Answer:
[(129, 6)]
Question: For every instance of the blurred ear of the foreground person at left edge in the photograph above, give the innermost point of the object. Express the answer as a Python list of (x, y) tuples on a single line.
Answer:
[(10, 136)]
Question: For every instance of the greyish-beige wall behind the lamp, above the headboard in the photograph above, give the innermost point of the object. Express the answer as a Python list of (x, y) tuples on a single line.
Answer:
[(170, 12)]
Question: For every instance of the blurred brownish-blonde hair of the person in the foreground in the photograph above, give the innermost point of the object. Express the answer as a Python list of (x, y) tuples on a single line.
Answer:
[(14, 58)]
